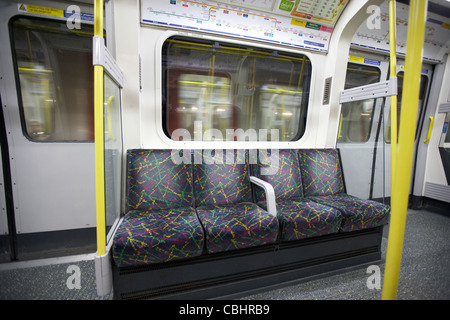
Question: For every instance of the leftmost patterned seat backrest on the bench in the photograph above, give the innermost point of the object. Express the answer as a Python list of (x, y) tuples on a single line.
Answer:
[(155, 182)]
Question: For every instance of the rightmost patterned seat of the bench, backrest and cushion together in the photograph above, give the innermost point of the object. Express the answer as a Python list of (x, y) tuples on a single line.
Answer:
[(323, 183)]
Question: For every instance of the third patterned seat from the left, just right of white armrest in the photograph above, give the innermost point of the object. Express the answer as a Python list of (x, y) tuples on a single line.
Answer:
[(299, 218)]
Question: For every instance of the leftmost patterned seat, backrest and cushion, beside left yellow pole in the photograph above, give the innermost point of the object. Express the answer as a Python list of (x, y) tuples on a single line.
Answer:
[(161, 224)]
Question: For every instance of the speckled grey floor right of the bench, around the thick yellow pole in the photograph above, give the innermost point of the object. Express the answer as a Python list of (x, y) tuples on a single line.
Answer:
[(424, 272)]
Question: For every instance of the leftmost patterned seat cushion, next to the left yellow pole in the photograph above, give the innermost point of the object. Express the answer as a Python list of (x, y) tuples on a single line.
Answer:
[(154, 237)]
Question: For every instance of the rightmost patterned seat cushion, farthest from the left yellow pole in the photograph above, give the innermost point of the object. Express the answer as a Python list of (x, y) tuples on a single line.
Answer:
[(356, 213)]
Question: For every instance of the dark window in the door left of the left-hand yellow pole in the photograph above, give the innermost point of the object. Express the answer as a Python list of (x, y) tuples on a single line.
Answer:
[(55, 78)]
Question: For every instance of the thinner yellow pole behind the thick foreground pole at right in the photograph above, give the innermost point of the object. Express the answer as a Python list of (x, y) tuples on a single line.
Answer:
[(393, 74)]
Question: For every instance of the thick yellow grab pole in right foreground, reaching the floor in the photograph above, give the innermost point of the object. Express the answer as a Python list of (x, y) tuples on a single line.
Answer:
[(400, 192)]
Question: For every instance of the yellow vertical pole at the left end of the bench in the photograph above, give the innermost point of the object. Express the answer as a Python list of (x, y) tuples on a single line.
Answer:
[(99, 137)]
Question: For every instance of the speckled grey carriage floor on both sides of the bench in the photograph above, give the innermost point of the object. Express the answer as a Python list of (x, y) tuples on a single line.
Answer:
[(425, 272)]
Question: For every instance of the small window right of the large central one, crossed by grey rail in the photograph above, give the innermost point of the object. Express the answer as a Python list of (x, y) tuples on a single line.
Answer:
[(356, 117)]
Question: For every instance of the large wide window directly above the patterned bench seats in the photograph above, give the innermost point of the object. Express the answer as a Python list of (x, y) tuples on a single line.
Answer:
[(212, 87)]
